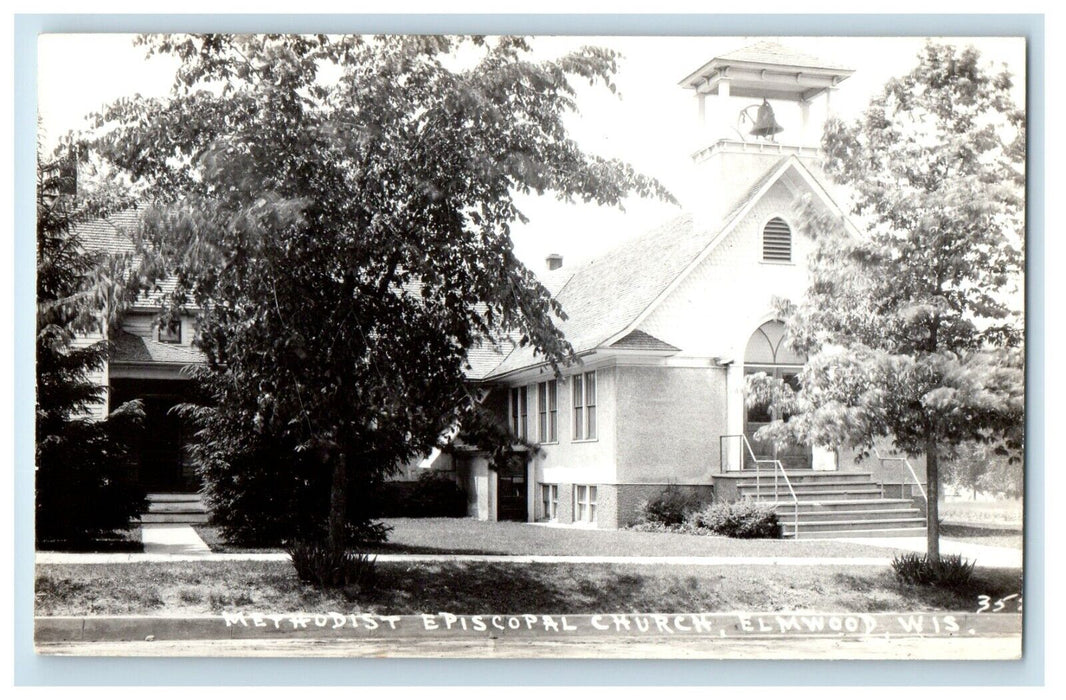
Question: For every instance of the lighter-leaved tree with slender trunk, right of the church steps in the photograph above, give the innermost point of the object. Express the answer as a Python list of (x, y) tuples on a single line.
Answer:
[(911, 325)]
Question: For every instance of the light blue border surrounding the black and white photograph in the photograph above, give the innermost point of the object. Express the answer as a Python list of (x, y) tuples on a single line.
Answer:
[(34, 671)]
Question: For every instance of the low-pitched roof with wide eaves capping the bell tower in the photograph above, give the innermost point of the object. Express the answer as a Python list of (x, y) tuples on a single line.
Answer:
[(768, 70)]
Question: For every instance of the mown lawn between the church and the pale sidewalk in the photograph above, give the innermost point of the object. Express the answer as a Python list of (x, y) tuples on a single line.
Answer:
[(467, 536)]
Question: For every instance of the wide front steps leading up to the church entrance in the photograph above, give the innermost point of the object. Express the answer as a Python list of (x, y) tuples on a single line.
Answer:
[(831, 504)]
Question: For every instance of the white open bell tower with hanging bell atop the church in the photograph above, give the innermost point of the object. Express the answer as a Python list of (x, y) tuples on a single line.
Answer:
[(756, 106)]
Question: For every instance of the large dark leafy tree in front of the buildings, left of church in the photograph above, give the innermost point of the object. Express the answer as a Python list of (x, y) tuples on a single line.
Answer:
[(341, 209)]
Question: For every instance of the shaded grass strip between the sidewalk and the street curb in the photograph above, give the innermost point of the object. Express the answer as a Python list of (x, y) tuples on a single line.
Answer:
[(490, 589)]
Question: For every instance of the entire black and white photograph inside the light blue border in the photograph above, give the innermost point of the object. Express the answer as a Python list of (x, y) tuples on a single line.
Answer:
[(543, 347)]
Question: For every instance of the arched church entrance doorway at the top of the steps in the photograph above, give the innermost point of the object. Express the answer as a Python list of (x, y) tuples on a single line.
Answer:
[(768, 353)]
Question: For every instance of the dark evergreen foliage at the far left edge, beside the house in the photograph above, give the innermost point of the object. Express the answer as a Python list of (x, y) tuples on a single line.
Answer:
[(87, 487)]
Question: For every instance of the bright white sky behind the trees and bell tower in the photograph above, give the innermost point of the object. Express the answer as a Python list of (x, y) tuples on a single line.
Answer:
[(651, 124)]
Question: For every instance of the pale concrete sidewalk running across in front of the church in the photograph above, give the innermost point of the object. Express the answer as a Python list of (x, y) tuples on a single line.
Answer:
[(166, 544)]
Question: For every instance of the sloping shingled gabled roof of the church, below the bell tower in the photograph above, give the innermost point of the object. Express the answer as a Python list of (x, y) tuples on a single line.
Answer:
[(608, 298)]
